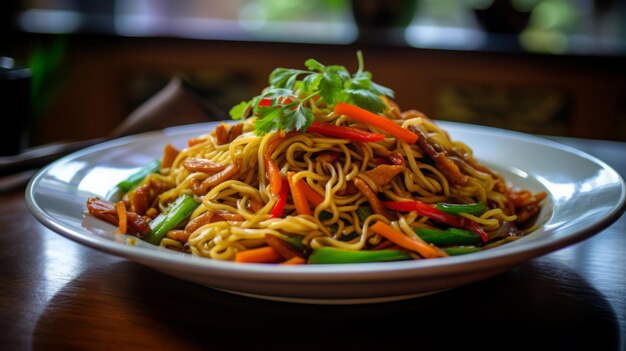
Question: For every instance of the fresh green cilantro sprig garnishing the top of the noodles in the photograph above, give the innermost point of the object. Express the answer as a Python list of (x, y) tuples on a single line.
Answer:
[(282, 105)]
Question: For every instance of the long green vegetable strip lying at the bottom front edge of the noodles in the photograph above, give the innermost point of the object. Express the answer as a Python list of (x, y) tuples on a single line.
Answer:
[(326, 255)]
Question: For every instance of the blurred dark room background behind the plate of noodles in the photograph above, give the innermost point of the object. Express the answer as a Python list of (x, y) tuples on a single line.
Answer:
[(79, 68)]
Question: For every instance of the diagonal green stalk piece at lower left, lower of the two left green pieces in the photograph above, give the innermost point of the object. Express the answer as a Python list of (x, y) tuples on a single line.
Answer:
[(175, 214)]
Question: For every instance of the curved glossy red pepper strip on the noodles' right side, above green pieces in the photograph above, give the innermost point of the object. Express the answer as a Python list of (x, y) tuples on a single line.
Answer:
[(439, 216)]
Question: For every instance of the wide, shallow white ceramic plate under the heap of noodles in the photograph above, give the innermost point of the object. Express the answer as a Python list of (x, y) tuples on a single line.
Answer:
[(585, 196)]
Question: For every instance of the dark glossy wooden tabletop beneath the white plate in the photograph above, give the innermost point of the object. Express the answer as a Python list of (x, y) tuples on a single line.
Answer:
[(57, 294)]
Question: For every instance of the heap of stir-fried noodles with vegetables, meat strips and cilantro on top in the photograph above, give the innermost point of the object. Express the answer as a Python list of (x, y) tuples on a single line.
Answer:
[(307, 176)]
